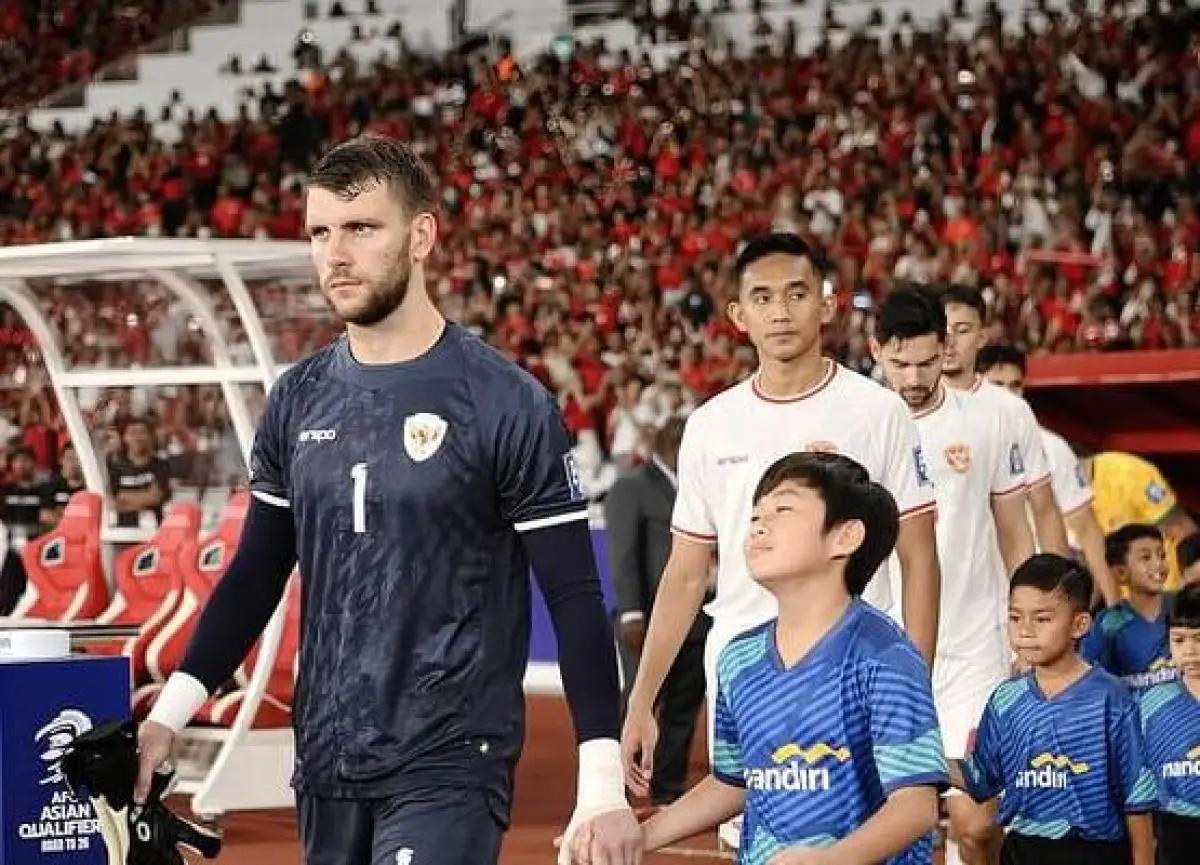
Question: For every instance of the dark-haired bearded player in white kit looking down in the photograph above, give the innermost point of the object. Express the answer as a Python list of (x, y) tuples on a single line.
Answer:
[(982, 534)]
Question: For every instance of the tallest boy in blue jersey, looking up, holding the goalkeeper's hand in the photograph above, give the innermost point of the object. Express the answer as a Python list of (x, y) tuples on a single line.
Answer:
[(826, 730)]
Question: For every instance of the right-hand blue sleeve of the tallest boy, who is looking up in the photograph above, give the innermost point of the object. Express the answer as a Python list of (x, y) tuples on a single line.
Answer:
[(907, 740)]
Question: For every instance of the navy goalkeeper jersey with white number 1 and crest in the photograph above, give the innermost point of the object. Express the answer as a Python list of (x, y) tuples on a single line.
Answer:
[(410, 485)]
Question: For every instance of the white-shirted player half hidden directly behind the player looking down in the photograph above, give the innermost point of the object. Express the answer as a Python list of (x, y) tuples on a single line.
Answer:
[(967, 314)]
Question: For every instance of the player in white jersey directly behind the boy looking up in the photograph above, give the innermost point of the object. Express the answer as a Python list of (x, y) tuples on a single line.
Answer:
[(797, 400)]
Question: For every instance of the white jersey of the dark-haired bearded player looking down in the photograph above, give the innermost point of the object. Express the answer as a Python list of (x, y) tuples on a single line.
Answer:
[(973, 458)]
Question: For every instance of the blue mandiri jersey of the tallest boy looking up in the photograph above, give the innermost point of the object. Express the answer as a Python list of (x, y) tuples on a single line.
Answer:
[(820, 746)]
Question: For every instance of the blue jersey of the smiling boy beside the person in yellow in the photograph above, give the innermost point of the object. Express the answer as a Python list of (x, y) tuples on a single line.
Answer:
[(1131, 647)]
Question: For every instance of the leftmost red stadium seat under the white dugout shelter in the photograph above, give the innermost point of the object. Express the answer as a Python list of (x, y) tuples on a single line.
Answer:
[(67, 575)]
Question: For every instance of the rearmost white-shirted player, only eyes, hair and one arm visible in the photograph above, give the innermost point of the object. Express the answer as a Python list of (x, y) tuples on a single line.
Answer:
[(1005, 367)]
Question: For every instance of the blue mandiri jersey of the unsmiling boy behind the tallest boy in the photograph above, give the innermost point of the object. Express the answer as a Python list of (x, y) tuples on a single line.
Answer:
[(1070, 765)]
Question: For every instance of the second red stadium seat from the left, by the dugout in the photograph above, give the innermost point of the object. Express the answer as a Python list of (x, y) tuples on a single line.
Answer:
[(149, 581)]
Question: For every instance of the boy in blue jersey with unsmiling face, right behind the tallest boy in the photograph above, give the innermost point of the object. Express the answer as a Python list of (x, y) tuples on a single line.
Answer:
[(1063, 743)]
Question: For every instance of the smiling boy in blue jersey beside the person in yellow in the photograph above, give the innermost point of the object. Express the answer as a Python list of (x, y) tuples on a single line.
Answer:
[(1130, 639)]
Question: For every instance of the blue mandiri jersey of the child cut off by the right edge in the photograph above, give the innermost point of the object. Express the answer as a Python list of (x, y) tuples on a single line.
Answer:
[(1171, 719)]
